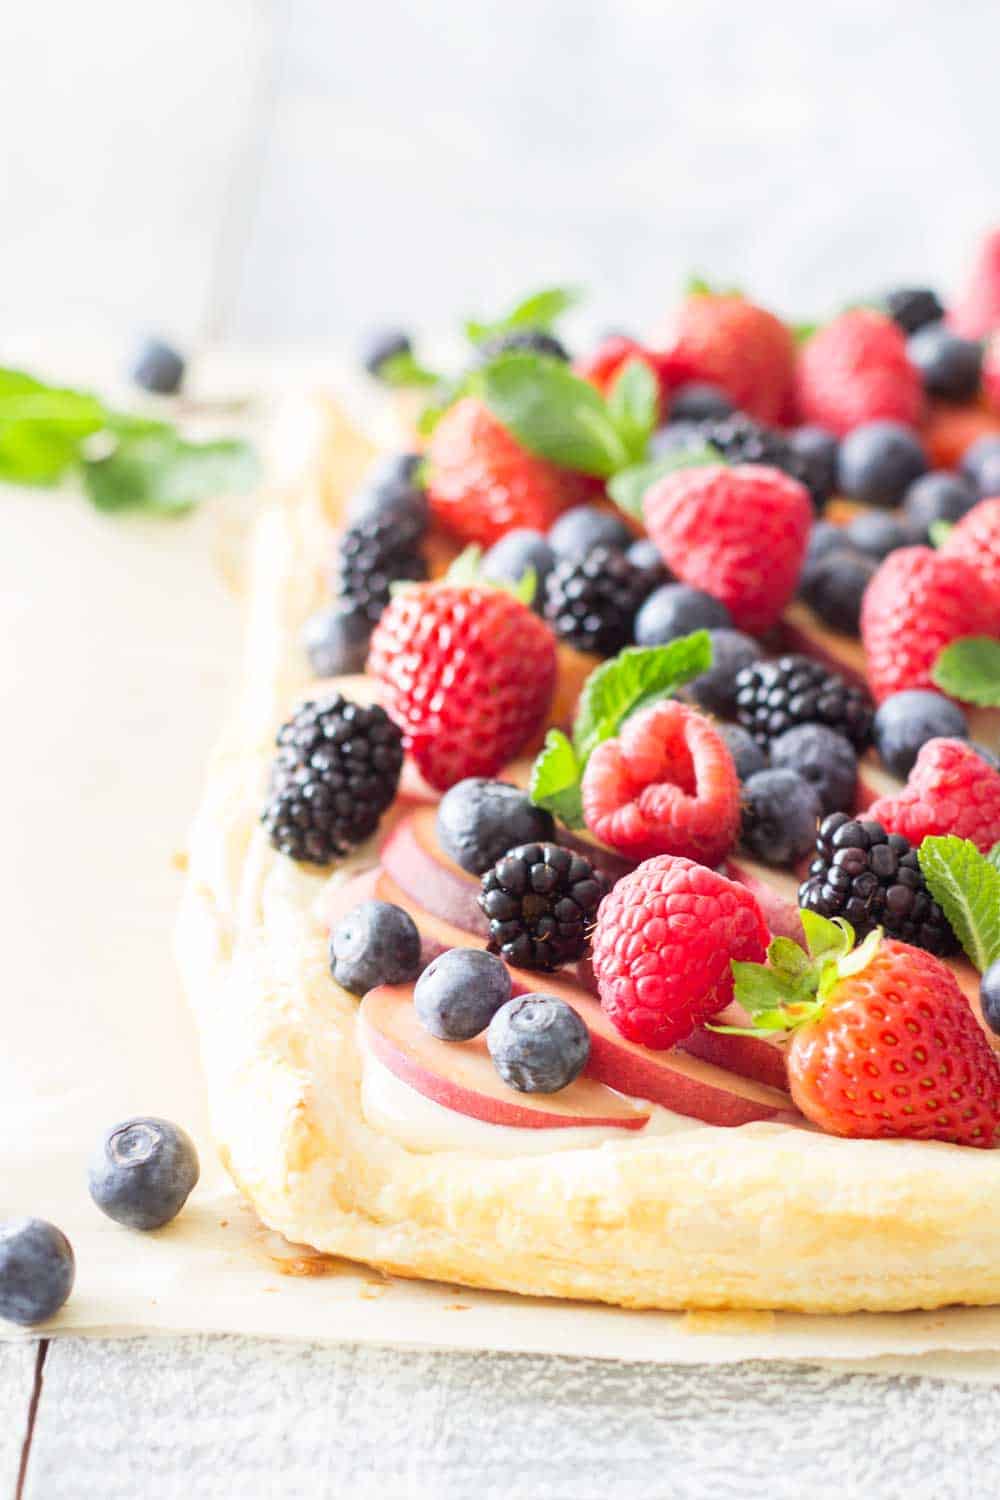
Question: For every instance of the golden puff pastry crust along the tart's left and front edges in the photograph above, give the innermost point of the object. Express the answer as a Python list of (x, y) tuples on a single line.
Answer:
[(756, 1217)]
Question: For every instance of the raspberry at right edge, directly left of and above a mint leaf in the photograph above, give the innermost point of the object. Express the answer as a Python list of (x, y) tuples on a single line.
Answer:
[(918, 604)]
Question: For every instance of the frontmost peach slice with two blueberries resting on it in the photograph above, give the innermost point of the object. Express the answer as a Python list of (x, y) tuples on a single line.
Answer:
[(463, 1078)]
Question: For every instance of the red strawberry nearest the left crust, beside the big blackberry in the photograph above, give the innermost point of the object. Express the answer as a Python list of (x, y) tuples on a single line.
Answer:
[(467, 673)]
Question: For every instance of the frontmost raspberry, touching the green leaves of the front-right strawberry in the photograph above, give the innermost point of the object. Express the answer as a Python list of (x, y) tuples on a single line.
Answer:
[(663, 946)]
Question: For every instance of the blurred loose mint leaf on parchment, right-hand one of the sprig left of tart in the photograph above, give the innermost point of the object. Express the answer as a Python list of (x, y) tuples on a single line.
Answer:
[(166, 473)]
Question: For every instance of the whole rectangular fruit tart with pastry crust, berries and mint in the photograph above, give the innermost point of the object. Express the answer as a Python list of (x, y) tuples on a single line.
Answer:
[(597, 892)]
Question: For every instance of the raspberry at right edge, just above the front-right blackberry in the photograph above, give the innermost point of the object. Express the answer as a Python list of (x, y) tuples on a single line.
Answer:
[(951, 791)]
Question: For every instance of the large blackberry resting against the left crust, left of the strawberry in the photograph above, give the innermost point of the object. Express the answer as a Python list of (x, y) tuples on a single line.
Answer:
[(335, 775)]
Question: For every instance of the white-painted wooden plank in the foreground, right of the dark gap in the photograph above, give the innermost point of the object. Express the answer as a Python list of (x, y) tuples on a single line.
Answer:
[(226, 1417)]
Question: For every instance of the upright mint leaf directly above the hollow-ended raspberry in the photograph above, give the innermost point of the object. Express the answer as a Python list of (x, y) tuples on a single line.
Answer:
[(635, 679)]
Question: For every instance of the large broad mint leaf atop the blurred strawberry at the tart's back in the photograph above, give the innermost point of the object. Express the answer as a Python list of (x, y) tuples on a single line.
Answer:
[(552, 413)]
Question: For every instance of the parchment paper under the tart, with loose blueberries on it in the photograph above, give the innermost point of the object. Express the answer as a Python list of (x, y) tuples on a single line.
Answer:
[(119, 641)]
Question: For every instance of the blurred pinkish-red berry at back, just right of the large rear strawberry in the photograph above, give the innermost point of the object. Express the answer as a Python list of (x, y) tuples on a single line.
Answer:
[(857, 370)]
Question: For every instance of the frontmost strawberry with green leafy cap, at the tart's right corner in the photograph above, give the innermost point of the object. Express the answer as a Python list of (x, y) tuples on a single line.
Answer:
[(884, 1042)]
